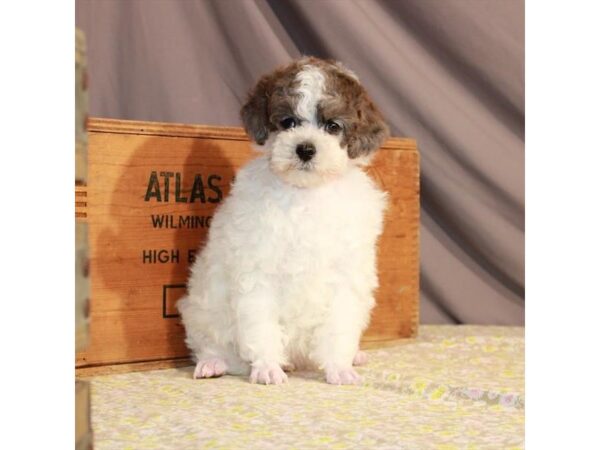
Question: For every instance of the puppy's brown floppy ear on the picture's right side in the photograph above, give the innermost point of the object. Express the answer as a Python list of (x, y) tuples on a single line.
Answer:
[(369, 131)]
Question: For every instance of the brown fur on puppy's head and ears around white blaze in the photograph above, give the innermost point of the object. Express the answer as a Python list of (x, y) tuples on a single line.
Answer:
[(274, 97)]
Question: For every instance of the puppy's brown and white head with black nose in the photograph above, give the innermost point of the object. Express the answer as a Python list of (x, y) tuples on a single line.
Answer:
[(314, 120)]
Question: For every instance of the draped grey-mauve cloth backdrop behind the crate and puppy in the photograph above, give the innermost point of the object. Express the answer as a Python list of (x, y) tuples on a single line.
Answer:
[(449, 73)]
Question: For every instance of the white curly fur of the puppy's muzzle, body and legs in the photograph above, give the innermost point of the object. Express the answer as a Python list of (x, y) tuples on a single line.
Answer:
[(287, 275)]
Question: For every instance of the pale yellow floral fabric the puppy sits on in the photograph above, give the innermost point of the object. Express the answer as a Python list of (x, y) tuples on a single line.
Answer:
[(453, 387)]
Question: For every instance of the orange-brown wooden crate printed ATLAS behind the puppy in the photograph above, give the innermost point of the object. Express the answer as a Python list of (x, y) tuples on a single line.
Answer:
[(152, 190)]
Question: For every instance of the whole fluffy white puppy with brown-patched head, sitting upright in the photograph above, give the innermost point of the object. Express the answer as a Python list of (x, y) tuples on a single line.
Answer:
[(287, 275)]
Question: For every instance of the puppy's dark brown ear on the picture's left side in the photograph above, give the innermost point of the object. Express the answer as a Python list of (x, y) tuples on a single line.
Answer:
[(255, 112)]
